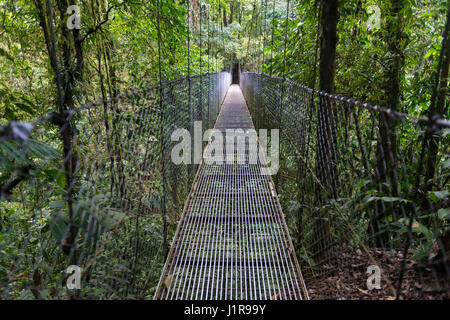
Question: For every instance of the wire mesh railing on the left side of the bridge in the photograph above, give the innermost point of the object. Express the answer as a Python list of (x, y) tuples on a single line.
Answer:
[(94, 188)]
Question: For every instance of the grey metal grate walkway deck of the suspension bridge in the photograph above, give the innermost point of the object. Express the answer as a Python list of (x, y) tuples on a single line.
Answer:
[(232, 241)]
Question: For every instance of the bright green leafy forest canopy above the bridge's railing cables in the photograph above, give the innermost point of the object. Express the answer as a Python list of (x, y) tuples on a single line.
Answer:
[(117, 47)]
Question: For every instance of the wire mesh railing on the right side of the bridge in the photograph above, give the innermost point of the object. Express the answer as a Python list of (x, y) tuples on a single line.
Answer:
[(355, 181)]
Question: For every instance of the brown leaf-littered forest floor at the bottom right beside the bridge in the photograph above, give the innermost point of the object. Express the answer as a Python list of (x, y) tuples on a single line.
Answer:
[(350, 282)]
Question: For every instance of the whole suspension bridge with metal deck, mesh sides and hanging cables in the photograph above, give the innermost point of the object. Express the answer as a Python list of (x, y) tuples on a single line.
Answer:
[(99, 191)]
